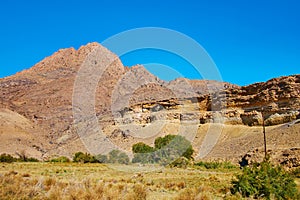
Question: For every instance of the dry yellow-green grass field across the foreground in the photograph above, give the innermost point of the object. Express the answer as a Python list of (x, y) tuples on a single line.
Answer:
[(99, 181)]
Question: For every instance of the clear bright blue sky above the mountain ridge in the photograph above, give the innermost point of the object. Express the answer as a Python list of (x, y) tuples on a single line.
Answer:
[(249, 40)]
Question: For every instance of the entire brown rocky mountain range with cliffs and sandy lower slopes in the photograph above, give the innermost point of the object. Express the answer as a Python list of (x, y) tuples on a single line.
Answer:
[(36, 110)]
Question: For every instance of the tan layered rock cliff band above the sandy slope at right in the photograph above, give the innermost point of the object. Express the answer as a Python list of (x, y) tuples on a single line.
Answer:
[(275, 102)]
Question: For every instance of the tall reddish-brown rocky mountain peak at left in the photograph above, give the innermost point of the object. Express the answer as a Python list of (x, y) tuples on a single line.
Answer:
[(43, 95)]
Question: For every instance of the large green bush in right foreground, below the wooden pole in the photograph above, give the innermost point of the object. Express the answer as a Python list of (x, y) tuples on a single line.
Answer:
[(262, 180)]
